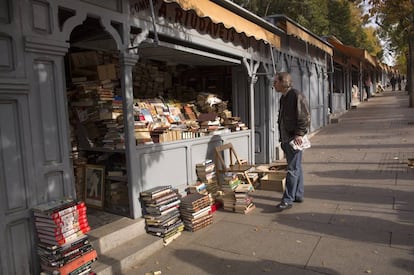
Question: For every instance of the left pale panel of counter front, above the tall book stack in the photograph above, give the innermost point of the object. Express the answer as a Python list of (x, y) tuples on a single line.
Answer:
[(168, 167)]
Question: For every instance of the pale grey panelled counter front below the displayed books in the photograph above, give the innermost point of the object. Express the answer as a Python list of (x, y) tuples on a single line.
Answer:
[(174, 162)]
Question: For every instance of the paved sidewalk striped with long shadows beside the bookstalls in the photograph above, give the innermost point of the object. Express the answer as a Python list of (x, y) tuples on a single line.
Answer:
[(357, 218)]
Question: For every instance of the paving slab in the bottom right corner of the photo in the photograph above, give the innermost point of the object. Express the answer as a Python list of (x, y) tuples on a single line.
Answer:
[(355, 257)]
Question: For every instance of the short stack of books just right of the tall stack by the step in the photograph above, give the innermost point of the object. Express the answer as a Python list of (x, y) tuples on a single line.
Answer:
[(196, 211)]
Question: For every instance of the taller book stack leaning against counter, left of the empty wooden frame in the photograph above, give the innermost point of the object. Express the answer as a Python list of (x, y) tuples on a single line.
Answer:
[(206, 173)]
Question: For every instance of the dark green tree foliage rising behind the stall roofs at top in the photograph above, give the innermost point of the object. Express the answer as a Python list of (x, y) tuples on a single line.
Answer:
[(340, 18)]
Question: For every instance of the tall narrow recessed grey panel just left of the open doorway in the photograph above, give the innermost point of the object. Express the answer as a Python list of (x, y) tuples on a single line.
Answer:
[(44, 73)]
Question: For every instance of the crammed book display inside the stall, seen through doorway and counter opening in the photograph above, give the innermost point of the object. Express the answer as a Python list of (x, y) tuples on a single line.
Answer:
[(170, 104)]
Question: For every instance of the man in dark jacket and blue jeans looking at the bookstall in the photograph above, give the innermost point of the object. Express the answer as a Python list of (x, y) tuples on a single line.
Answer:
[(294, 121)]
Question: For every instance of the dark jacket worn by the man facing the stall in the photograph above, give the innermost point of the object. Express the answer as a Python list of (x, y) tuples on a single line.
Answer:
[(294, 115)]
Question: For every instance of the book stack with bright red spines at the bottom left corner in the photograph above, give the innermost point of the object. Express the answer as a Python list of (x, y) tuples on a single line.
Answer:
[(62, 245)]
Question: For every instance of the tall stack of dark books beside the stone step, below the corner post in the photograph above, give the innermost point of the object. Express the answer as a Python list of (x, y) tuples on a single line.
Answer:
[(161, 212)]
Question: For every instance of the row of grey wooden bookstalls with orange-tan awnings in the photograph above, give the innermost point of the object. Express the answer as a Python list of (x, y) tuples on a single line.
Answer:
[(101, 100)]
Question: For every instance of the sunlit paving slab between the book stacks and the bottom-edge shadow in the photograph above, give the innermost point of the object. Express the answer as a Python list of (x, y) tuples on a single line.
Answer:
[(261, 242)]
